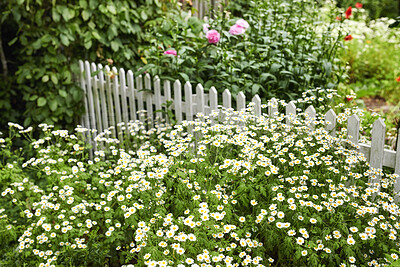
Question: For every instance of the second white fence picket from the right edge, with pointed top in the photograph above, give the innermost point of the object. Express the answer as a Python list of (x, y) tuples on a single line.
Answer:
[(377, 147)]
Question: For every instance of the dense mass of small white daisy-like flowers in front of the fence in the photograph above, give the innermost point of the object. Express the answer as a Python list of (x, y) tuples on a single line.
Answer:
[(238, 190)]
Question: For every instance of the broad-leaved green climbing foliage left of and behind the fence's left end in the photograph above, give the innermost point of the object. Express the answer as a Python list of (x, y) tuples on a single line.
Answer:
[(49, 37)]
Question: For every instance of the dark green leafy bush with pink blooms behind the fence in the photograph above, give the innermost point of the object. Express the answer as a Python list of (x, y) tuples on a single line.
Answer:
[(280, 53)]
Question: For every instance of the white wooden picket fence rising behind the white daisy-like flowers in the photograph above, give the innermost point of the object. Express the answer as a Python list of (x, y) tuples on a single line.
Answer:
[(112, 101)]
